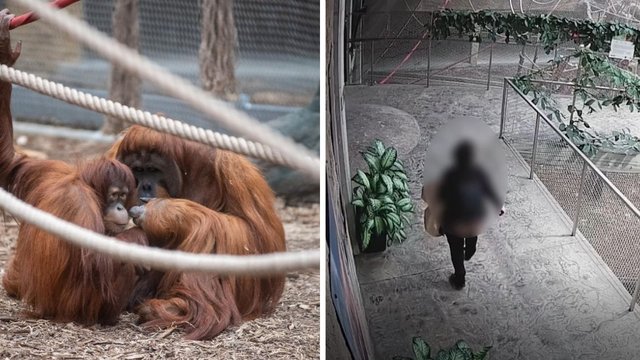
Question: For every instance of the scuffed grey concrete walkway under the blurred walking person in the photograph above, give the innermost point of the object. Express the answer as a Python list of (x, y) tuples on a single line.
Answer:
[(533, 291)]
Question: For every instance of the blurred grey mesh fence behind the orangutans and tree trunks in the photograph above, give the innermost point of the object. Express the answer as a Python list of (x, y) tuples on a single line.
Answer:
[(277, 57)]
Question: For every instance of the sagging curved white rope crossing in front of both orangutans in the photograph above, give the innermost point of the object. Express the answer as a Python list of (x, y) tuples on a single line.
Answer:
[(255, 265)]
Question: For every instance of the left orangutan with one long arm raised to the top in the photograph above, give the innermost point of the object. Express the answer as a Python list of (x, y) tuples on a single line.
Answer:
[(60, 281)]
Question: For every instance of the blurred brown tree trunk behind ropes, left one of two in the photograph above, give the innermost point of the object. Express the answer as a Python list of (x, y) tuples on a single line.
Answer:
[(125, 87)]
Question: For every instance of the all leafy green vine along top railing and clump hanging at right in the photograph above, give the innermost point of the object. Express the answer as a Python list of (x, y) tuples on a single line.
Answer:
[(553, 31)]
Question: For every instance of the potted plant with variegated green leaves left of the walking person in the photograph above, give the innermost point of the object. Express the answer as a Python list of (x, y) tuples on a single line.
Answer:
[(381, 199)]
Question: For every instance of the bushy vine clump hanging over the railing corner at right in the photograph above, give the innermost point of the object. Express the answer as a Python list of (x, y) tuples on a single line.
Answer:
[(592, 66)]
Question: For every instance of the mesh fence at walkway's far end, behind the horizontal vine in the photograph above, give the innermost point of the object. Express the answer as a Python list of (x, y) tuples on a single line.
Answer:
[(386, 45)]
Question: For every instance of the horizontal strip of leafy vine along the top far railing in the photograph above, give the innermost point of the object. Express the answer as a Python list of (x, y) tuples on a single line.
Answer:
[(552, 30)]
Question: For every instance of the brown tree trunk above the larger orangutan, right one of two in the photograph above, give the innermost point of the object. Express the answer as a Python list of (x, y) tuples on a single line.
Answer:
[(217, 48)]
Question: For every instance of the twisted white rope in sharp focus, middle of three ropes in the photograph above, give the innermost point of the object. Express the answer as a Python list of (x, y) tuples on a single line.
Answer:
[(133, 115)]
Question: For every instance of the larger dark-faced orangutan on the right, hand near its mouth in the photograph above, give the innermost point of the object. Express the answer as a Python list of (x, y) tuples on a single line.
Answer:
[(207, 201)]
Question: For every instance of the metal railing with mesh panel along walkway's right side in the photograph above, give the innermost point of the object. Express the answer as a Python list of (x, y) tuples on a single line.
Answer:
[(602, 214)]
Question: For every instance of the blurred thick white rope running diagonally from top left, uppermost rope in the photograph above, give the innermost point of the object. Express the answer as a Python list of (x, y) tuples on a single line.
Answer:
[(175, 86)]
